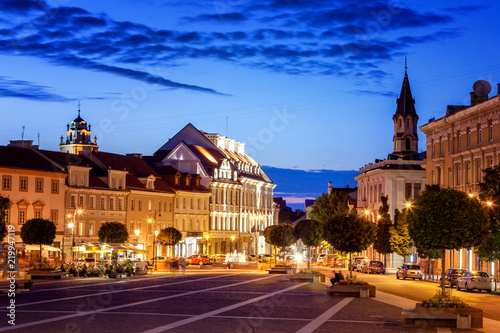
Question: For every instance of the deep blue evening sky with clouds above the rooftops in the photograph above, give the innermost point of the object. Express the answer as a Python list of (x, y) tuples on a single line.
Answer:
[(306, 84)]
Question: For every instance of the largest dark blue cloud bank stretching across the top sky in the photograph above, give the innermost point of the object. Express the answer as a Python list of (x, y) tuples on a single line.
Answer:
[(302, 37)]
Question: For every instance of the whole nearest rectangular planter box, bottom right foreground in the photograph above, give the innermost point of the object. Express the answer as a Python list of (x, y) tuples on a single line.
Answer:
[(445, 317)]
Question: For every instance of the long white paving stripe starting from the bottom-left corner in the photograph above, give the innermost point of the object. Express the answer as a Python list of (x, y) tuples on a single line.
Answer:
[(80, 314)]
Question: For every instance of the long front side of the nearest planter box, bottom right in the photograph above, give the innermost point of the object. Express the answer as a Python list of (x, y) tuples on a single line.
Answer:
[(410, 317)]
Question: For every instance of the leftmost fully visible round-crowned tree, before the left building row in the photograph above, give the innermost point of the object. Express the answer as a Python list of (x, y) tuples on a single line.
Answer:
[(38, 232)]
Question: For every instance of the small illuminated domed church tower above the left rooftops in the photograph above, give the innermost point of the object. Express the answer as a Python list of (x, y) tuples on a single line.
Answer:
[(78, 137)]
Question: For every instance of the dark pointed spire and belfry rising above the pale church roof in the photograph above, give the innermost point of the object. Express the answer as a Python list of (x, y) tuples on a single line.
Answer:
[(405, 122)]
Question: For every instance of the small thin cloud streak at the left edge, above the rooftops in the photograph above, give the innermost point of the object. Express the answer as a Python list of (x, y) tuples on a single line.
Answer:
[(28, 90)]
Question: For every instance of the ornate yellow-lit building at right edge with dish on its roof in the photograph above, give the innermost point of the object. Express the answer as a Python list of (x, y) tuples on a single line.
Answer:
[(459, 146)]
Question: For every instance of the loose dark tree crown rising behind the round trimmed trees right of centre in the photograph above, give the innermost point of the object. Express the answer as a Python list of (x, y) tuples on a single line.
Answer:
[(328, 205)]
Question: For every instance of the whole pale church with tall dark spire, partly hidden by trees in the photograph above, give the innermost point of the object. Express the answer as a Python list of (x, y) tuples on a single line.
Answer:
[(401, 176)]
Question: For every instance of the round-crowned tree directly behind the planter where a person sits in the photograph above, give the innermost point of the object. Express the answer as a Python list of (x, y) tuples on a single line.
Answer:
[(349, 233)]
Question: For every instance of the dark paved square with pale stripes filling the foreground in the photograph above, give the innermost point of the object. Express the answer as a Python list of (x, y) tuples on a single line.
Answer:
[(202, 301)]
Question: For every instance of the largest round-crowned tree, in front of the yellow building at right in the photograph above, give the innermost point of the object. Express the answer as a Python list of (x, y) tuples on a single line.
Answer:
[(442, 219)]
